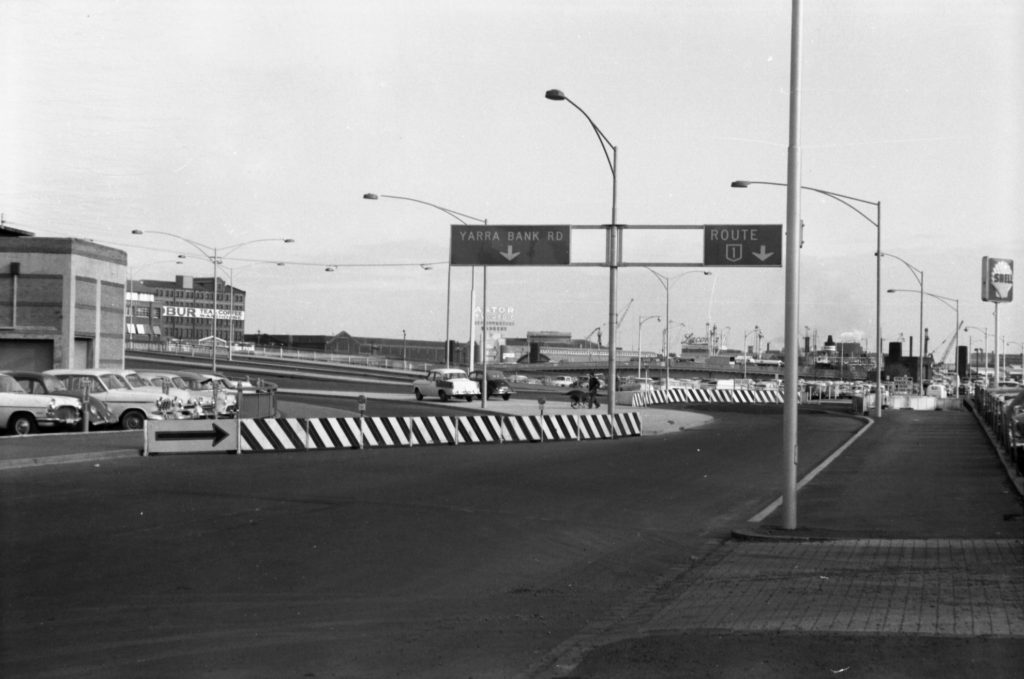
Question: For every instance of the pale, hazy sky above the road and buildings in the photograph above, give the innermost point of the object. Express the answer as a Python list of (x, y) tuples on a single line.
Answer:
[(224, 122)]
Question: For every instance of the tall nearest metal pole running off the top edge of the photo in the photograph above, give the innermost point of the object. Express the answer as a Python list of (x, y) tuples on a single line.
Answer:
[(791, 371)]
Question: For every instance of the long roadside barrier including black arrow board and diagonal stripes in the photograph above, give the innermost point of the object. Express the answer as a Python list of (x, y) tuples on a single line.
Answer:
[(297, 435)]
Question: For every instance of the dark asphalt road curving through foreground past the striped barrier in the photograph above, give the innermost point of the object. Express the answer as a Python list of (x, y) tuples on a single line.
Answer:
[(472, 561)]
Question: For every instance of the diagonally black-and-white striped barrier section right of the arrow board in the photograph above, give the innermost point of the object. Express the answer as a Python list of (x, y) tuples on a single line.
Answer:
[(293, 435)]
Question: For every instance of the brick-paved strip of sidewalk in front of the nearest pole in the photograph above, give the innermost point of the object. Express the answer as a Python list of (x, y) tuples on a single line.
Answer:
[(931, 587)]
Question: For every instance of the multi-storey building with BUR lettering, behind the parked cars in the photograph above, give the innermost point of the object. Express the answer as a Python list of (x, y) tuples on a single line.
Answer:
[(184, 310)]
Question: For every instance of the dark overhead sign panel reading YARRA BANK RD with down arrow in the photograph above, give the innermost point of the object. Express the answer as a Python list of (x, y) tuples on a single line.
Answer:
[(541, 245)]
